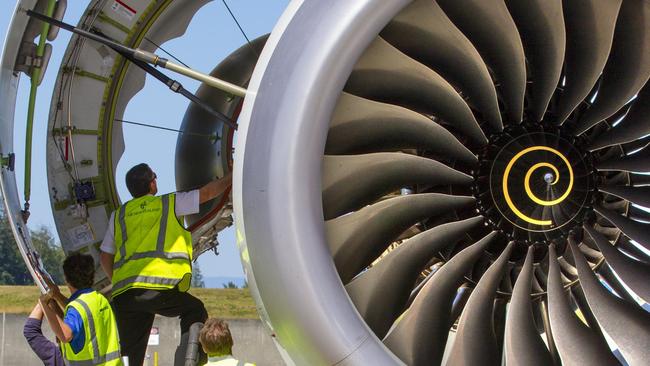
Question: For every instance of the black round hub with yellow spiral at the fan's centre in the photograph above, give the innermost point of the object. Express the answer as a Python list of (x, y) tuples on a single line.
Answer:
[(539, 182)]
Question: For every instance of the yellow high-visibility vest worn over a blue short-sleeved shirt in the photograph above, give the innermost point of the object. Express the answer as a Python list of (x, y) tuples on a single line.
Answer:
[(102, 346)]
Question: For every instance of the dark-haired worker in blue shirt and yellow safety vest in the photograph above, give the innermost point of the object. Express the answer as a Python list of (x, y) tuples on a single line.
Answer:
[(87, 331)]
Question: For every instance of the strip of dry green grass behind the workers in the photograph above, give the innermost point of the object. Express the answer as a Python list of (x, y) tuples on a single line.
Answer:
[(221, 303)]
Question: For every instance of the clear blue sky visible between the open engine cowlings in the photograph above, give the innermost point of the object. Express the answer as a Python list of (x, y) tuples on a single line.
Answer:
[(211, 36)]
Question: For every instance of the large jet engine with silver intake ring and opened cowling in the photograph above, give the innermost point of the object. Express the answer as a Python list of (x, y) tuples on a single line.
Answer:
[(415, 182)]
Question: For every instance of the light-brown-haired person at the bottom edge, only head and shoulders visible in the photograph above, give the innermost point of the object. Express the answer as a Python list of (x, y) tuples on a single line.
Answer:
[(216, 341)]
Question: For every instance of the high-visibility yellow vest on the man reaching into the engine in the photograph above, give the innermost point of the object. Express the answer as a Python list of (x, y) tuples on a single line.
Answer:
[(153, 249)]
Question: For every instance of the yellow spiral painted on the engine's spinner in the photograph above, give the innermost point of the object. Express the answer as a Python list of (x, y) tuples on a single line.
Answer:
[(529, 192)]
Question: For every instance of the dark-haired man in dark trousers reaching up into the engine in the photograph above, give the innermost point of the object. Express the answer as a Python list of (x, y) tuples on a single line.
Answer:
[(147, 254)]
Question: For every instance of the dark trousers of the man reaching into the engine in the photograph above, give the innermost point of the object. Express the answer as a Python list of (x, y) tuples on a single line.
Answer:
[(135, 310)]
